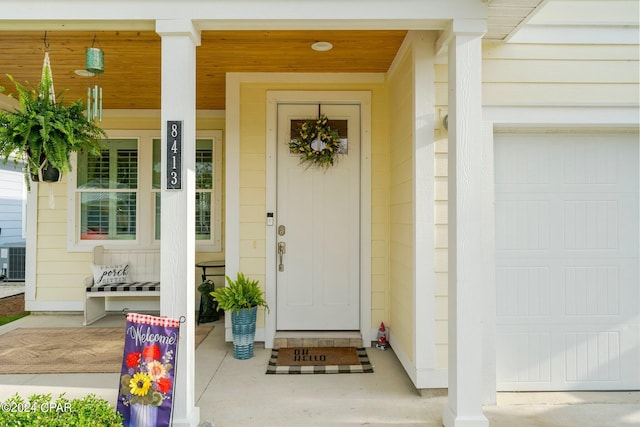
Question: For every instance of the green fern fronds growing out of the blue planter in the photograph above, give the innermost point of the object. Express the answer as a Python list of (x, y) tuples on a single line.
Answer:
[(240, 293)]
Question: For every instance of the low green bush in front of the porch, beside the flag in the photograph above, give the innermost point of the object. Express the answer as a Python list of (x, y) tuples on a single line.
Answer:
[(40, 411)]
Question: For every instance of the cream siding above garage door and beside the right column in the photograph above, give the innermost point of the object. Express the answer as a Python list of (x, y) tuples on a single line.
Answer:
[(531, 75)]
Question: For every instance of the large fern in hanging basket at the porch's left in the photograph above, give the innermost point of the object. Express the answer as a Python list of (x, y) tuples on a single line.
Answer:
[(44, 133)]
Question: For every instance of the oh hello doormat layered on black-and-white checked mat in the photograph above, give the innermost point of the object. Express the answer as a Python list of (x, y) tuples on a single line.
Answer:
[(319, 360)]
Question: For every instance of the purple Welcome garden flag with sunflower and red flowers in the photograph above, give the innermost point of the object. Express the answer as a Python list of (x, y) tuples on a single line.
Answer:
[(146, 382)]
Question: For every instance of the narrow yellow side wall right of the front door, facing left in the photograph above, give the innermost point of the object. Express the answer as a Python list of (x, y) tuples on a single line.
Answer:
[(401, 204)]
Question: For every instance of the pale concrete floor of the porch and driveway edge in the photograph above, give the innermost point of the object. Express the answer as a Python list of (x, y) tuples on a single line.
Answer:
[(231, 392)]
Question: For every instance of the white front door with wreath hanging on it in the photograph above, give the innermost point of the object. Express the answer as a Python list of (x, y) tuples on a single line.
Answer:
[(318, 221)]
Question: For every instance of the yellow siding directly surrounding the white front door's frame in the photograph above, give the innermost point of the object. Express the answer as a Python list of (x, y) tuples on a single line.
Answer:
[(253, 190)]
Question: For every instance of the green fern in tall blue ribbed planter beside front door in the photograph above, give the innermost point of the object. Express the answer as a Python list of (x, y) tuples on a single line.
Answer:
[(241, 298)]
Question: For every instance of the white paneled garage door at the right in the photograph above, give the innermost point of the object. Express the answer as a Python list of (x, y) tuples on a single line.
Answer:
[(567, 278)]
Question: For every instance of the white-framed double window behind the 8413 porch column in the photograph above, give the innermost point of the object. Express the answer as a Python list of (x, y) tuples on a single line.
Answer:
[(117, 195)]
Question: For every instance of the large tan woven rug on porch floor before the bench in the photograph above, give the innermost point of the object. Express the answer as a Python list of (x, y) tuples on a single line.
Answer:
[(67, 350)]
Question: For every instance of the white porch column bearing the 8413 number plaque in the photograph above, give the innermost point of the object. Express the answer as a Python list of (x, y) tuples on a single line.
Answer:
[(177, 244)]
